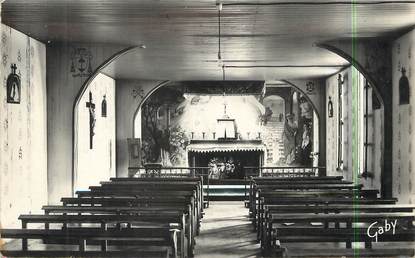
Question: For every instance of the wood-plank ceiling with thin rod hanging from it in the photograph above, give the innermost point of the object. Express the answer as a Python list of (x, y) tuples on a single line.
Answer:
[(260, 39)]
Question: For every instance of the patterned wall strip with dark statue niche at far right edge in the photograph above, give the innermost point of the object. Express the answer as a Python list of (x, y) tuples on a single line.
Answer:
[(403, 70)]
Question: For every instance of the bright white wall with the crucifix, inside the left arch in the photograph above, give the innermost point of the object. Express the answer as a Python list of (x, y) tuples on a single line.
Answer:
[(97, 163)]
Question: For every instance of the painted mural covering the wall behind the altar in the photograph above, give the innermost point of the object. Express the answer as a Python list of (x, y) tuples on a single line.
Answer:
[(173, 116)]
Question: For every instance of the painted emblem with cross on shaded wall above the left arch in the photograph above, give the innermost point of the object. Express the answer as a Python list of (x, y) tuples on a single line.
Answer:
[(81, 62)]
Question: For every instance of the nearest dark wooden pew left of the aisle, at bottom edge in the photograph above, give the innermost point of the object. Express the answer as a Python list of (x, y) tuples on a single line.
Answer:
[(130, 237)]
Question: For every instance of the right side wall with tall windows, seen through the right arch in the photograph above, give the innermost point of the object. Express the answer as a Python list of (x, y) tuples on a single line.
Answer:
[(374, 132)]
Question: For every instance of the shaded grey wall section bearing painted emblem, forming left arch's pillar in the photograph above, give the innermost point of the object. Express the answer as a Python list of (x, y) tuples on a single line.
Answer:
[(63, 88)]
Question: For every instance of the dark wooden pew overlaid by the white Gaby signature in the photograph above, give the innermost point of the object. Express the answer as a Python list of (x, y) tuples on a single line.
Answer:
[(352, 232)]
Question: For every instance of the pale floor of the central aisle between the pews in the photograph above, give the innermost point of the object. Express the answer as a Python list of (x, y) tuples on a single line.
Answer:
[(226, 232)]
